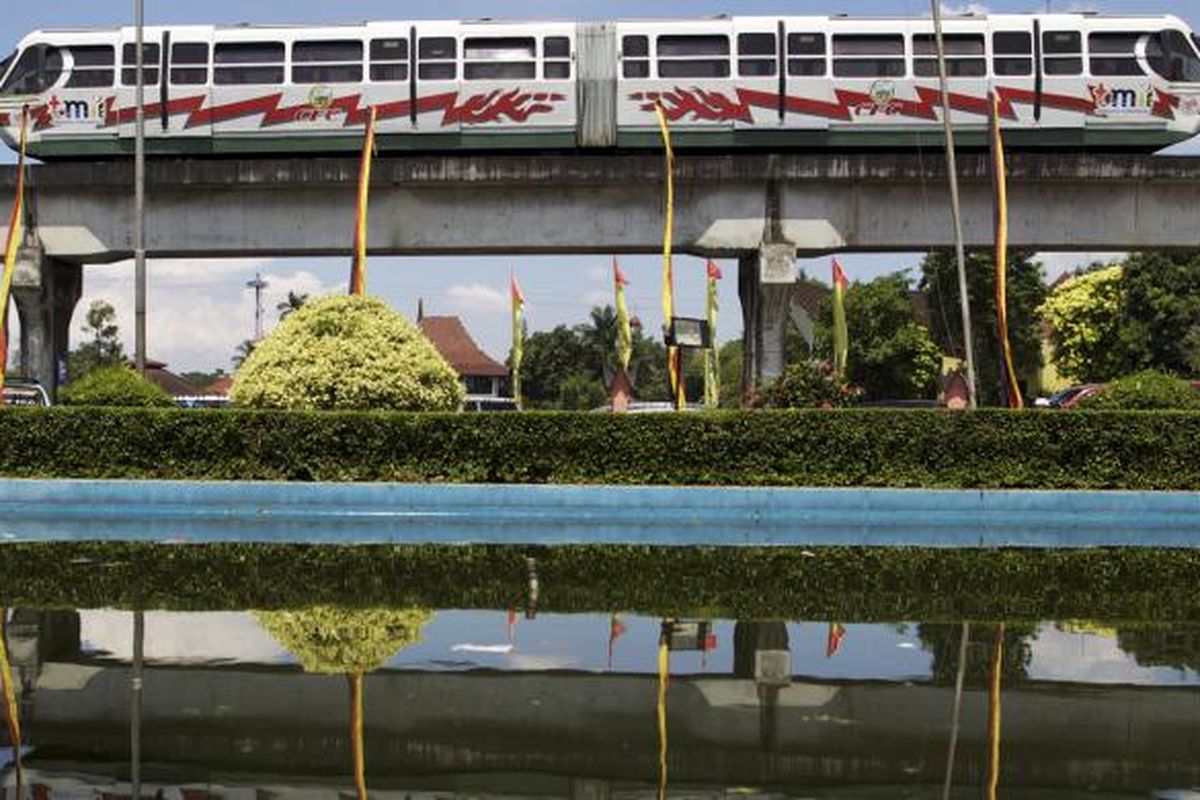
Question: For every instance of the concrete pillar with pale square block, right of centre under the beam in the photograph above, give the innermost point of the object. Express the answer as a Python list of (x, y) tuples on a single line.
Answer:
[(765, 285)]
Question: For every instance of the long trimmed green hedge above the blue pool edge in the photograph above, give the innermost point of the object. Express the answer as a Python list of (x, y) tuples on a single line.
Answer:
[(805, 448)]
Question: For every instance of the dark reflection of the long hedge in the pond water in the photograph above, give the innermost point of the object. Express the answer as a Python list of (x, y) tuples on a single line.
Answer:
[(844, 584)]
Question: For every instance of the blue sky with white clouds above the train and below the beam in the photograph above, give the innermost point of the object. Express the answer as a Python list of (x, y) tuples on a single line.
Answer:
[(201, 310)]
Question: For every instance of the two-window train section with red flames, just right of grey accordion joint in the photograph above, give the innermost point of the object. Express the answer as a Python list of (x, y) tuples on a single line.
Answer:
[(687, 67)]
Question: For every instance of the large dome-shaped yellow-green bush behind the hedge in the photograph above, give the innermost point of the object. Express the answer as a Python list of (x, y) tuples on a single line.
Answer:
[(347, 353)]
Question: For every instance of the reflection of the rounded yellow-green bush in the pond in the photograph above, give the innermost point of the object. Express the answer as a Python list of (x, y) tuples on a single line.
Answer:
[(345, 641)]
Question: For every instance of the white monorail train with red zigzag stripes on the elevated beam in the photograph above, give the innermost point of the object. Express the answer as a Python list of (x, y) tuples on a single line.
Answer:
[(1063, 81)]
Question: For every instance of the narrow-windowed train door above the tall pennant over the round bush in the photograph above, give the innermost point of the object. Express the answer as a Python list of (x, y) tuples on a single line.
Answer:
[(392, 79)]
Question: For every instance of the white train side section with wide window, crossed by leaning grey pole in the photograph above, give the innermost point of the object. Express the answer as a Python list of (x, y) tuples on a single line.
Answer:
[(965, 44)]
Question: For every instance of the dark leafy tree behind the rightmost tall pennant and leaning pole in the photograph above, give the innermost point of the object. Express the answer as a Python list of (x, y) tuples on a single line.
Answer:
[(1027, 292)]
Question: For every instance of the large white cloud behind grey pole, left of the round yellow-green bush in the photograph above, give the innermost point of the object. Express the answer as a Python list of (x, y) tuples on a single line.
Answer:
[(199, 311)]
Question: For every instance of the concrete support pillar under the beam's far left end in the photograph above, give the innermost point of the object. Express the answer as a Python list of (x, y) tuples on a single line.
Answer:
[(46, 292)]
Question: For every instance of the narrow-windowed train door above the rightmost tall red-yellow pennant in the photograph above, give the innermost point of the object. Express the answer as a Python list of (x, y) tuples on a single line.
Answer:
[(1013, 44)]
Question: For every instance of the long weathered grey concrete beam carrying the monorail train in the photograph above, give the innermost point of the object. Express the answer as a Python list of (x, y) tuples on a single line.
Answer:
[(728, 204)]
